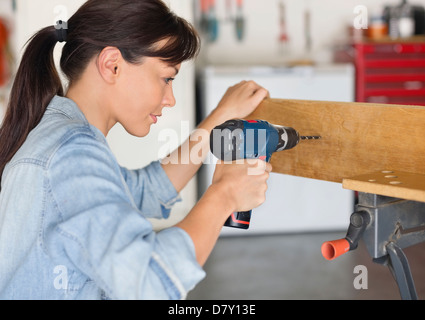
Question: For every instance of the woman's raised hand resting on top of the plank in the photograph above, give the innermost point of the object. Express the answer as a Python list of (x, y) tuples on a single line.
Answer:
[(240, 100)]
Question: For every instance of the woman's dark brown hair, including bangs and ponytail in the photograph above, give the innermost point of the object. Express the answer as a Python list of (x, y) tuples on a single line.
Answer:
[(133, 26)]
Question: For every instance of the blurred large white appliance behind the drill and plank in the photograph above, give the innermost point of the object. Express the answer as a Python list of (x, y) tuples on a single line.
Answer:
[(293, 204)]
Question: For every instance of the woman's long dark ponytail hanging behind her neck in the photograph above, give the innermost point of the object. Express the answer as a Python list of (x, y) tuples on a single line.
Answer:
[(36, 83)]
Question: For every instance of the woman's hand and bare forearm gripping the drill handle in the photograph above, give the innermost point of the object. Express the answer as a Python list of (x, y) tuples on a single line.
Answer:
[(236, 186)]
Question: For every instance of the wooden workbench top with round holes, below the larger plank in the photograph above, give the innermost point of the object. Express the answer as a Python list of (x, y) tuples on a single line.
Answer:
[(398, 184)]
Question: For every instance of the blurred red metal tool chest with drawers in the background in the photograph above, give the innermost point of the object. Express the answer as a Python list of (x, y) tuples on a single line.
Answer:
[(390, 72)]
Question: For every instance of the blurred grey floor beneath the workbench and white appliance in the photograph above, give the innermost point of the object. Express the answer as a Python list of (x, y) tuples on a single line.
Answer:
[(278, 267)]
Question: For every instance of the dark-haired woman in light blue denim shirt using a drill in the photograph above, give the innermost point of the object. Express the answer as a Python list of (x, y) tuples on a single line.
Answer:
[(72, 222)]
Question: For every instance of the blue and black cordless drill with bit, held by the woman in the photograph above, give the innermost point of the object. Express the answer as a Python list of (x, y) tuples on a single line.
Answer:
[(251, 139)]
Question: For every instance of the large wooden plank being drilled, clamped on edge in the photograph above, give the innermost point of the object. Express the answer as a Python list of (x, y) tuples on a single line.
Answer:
[(357, 138)]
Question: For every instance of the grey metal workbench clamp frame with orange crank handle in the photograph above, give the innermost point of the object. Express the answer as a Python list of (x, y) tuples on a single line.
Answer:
[(388, 226)]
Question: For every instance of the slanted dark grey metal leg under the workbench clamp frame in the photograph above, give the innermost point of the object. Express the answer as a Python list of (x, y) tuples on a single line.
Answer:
[(400, 269)]
